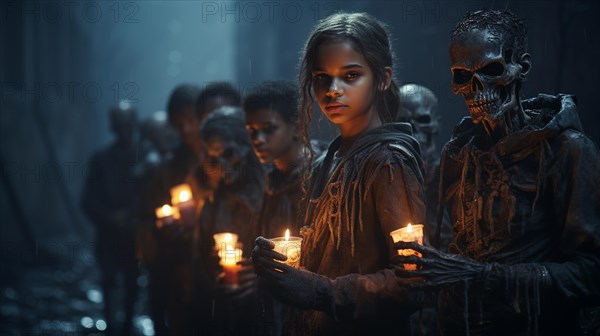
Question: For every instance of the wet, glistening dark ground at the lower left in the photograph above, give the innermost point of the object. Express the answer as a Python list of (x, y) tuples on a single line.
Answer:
[(60, 297)]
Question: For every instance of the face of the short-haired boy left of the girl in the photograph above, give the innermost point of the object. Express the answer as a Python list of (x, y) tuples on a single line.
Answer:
[(272, 138)]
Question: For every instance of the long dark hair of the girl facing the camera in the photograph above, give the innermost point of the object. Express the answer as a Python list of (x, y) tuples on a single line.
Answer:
[(371, 39)]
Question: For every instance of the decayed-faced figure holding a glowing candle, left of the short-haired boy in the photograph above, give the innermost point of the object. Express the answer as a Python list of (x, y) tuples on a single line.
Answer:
[(233, 207)]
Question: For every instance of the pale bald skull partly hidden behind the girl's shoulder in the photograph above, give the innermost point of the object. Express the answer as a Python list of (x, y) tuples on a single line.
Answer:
[(418, 106)]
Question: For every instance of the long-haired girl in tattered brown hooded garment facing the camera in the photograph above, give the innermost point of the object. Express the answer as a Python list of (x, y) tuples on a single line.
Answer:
[(368, 184)]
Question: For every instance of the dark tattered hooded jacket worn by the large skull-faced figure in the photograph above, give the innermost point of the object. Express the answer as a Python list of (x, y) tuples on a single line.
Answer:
[(533, 197)]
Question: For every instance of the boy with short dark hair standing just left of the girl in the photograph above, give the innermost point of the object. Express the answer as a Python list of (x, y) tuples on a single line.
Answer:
[(272, 123)]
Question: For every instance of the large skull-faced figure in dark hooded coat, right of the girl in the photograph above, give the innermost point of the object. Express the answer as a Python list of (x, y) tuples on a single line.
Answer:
[(520, 181)]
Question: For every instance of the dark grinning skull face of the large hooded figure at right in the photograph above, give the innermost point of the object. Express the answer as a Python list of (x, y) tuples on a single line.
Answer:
[(486, 74)]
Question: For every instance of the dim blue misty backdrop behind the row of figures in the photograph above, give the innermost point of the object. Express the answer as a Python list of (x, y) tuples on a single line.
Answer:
[(64, 63)]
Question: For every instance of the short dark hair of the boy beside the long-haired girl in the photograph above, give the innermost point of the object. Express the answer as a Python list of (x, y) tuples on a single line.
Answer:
[(280, 96)]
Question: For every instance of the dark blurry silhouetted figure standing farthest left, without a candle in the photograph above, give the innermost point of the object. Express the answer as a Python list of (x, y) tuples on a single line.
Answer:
[(109, 200)]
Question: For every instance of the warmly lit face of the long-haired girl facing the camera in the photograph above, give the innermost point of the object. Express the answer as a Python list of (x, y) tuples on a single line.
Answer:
[(343, 84)]
